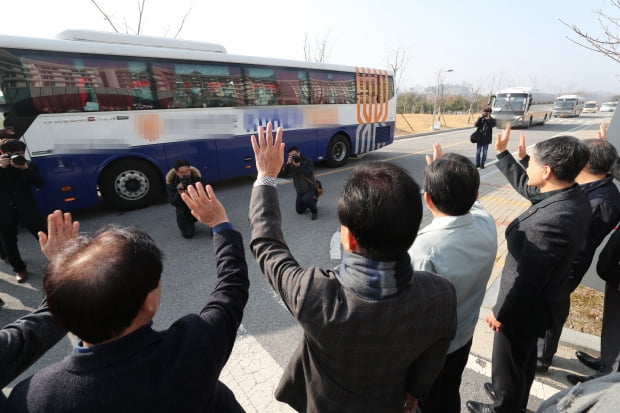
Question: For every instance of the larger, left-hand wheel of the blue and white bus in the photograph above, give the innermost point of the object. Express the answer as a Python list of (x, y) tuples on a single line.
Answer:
[(130, 184)]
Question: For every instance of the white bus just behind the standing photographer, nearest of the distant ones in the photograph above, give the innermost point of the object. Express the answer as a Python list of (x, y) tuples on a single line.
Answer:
[(522, 106)]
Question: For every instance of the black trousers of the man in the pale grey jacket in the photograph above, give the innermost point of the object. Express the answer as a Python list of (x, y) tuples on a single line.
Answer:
[(444, 397)]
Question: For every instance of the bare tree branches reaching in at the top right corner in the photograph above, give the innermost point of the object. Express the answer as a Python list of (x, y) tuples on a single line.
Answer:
[(608, 43)]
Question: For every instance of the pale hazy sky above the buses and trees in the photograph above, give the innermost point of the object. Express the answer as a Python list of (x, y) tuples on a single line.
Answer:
[(487, 45)]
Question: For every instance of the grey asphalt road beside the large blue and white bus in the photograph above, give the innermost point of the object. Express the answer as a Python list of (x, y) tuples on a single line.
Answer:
[(189, 265)]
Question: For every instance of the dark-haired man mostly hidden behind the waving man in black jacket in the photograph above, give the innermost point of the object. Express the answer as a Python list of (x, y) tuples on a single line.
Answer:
[(604, 198)]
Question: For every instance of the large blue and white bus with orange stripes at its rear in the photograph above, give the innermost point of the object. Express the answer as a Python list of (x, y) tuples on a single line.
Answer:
[(106, 115)]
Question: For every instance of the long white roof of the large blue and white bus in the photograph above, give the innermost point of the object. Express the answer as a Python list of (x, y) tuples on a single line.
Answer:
[(139, 47)]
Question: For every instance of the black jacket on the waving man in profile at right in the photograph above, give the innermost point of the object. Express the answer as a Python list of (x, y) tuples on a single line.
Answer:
[(542, 244)]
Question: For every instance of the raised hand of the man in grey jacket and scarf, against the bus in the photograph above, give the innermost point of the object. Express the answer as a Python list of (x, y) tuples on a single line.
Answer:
[(268, 152)]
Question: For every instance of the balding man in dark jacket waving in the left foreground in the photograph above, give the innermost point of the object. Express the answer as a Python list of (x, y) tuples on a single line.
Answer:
[(106, 290)]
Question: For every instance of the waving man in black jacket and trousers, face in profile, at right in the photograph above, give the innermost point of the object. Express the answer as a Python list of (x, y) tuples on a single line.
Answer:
[(542, 243)]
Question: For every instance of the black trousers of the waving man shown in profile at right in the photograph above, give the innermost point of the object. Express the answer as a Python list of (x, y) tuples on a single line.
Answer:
[(513, 369)]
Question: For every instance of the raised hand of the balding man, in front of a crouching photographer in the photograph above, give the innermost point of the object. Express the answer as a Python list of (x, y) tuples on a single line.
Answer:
[(204, 205)]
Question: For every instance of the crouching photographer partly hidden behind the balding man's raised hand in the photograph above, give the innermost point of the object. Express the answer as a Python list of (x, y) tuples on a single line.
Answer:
[(178, 179)]
